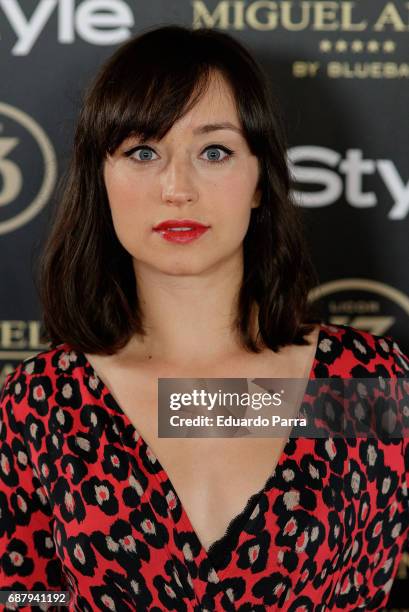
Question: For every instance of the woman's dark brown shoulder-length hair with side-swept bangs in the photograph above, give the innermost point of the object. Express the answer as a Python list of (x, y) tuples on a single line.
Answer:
[(86, 281)]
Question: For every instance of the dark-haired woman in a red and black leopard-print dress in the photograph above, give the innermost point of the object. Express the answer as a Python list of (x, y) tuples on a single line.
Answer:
[(179, 131)]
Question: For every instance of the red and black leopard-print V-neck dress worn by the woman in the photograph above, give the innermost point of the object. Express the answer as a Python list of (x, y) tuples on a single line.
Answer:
[(85, 506)]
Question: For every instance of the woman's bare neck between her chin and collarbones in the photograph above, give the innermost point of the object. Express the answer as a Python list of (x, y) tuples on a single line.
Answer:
[(188, 319)]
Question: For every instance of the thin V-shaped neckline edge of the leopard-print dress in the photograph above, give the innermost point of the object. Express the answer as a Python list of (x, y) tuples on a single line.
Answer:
[(145, 449)]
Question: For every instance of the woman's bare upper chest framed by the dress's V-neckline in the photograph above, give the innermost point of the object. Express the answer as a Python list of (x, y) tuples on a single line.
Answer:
[(213, 477)]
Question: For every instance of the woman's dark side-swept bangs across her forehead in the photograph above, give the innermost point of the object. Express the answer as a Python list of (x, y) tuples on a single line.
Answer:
[(146, 105)]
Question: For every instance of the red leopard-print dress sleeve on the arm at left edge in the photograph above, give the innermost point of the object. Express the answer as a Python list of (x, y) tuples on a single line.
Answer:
[(28, 559)]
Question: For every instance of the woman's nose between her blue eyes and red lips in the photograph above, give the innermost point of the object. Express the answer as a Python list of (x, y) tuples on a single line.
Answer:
[(177, 184)]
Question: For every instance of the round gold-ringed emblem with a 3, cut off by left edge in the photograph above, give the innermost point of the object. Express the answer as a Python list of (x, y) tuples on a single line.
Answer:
[(28, 168)]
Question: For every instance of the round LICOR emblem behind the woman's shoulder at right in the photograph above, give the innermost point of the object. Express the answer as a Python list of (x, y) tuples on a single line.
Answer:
[(363, 303)]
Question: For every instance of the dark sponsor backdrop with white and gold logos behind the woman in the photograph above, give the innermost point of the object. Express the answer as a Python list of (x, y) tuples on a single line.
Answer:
[(341, 72)]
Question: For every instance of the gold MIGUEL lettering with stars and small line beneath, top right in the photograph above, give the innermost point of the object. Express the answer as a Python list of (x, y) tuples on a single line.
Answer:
[(346, 40)]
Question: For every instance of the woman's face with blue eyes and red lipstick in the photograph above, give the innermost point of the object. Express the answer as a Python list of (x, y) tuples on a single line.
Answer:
[(195, 172)]
